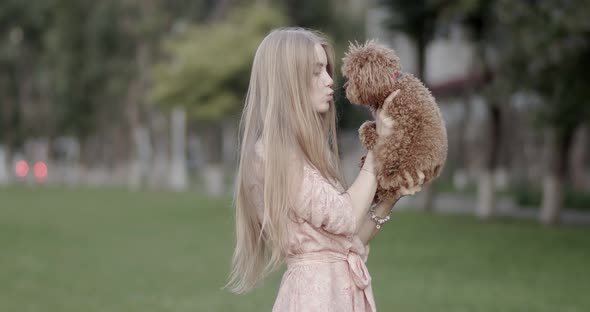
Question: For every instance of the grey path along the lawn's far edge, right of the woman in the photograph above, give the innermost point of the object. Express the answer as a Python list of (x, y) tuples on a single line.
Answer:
[(505, 207)]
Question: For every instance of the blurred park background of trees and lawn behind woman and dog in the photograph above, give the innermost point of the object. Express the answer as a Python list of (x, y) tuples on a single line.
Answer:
[(118, 136)]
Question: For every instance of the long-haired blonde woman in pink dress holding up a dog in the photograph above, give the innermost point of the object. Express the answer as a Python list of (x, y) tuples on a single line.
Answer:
[(291, 201)]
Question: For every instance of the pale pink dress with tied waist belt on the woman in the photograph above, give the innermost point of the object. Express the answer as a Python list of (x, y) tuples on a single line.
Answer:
[(326, 268)]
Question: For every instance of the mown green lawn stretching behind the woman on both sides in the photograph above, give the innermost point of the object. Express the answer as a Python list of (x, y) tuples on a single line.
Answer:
[(112, 250)]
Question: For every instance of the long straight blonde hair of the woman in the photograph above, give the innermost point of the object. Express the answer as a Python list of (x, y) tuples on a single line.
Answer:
[(278, 112)]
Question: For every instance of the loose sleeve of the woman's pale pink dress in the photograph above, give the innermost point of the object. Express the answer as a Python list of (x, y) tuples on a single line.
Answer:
[(323, 206)]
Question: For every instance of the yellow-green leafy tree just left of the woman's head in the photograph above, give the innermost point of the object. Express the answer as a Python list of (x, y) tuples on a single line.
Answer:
[(206, 69)]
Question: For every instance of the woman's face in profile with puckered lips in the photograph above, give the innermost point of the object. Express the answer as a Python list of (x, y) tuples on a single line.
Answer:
[(322, 95)]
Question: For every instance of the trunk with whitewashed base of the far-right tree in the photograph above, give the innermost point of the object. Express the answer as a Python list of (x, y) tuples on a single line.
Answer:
[(558, 144)]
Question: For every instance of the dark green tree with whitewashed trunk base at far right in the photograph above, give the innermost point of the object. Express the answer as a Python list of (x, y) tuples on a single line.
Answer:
[(548, 43)]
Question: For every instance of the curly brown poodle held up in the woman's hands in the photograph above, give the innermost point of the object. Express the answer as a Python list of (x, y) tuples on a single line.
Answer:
[(419, 139)]
